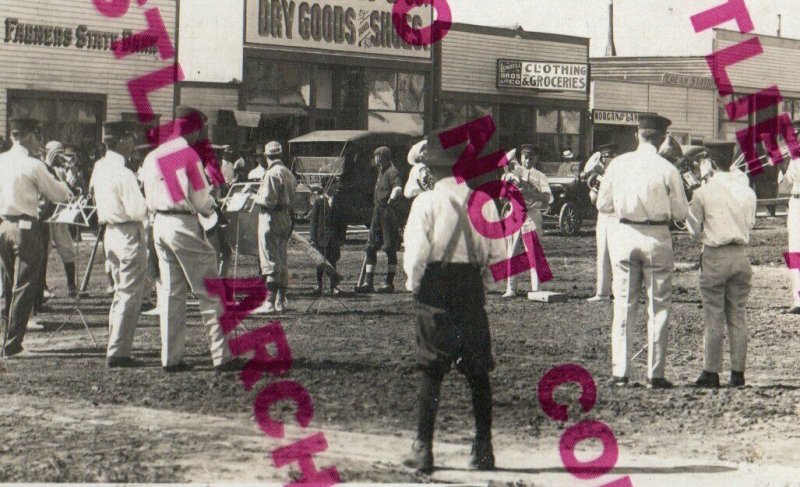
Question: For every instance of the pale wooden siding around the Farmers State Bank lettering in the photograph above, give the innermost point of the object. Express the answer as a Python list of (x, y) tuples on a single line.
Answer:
[(70, 69)]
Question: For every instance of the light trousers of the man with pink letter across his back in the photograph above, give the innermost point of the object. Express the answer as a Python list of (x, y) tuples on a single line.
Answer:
[(186, 258)]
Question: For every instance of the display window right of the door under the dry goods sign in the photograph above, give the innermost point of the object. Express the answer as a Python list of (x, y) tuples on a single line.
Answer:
[(396, 101)]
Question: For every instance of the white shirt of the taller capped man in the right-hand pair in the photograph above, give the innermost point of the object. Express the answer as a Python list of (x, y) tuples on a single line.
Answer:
[(641, 186)]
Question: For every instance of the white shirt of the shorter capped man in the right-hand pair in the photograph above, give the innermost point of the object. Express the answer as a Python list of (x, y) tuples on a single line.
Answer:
[(722, 211)]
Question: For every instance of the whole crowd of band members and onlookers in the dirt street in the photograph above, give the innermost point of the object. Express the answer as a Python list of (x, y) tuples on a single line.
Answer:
[(153, 241)]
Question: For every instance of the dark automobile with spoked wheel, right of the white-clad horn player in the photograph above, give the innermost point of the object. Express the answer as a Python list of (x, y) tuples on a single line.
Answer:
[(571, 203)]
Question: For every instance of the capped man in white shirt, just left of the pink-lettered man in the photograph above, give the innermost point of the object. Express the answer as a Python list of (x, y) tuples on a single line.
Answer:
[(122, 209)]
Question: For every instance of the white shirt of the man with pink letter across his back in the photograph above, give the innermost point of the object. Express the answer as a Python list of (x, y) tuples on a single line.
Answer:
[(157, 194)]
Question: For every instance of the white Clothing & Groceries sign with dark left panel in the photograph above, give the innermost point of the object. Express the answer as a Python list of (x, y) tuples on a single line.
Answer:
[(541, 76)]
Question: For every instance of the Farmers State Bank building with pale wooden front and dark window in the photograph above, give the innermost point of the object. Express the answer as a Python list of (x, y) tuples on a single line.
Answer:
[(58, 67)]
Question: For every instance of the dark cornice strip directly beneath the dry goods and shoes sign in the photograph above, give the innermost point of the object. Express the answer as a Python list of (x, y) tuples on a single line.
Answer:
[(320, 57)]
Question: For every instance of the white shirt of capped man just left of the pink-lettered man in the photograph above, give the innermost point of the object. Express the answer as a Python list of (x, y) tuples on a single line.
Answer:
[(116, 191)]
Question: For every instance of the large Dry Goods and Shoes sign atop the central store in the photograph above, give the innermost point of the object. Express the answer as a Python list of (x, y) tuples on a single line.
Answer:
[(348, 26)]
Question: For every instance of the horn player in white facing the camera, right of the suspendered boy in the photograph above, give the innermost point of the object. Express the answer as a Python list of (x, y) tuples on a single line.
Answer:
[(536, 192)]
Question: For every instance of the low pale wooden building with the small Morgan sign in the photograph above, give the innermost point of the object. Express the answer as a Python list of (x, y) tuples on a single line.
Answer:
[(679, 88)]
